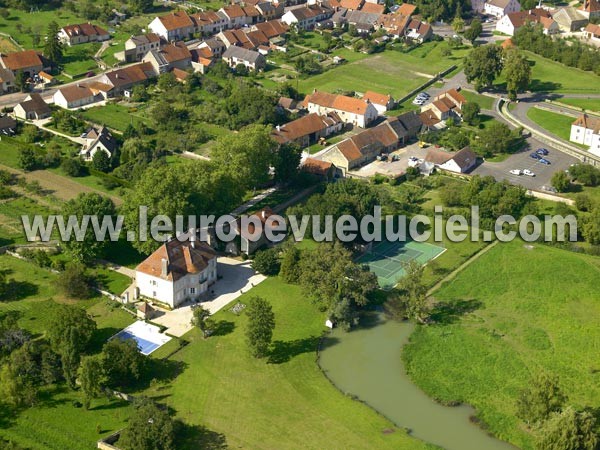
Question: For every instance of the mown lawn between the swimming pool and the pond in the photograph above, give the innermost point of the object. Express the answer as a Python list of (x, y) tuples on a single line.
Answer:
[(284, 403)]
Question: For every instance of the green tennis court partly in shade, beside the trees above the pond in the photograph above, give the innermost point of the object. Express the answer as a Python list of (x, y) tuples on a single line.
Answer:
[(385, 259)]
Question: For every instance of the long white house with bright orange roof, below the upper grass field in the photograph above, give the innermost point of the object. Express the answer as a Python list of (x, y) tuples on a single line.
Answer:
[(351, 110)]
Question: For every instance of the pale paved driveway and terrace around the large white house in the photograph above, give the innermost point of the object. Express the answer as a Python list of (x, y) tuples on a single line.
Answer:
[(235, 278)]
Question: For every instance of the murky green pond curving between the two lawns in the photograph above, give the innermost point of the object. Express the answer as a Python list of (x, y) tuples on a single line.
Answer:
[(366, 362)]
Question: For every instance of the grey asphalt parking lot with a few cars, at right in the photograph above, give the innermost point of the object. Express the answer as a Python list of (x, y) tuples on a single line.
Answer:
[(522, 160)]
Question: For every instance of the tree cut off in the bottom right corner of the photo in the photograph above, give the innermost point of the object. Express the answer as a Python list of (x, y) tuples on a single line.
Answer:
[(568, 430)]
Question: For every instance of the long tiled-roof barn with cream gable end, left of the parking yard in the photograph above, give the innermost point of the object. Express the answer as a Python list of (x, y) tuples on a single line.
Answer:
[(362, 148)]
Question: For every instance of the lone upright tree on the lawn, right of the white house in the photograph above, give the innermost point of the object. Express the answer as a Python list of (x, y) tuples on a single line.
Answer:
[(261, 323)]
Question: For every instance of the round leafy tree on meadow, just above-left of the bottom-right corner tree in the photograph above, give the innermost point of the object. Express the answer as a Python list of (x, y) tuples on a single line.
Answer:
[(540, 398)]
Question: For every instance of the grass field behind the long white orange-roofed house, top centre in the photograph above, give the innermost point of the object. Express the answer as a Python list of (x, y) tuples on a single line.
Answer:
[(391, 72)]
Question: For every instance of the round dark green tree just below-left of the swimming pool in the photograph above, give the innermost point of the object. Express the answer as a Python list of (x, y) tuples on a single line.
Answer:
[(123, 363)]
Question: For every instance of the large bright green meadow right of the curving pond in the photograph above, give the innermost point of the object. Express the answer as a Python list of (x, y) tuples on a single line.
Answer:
[(504, 318)]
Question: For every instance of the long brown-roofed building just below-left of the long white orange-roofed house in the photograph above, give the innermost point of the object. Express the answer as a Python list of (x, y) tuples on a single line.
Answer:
[(308, 130)]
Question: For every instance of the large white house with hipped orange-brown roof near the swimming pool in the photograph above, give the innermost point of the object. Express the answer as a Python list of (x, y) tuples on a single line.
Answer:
[(179, 270)]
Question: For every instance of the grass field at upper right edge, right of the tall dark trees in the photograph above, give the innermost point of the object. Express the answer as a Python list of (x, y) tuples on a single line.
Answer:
[(552, 76)]
